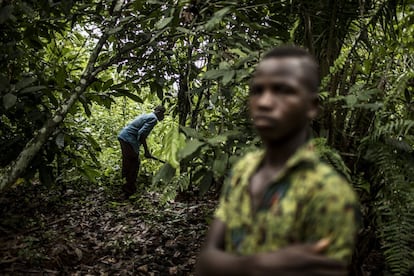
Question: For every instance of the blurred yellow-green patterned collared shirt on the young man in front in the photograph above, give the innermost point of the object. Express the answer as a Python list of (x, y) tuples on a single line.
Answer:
[(307, 201)]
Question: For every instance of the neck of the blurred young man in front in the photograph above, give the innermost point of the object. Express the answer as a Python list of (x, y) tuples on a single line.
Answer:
[(278, 152)]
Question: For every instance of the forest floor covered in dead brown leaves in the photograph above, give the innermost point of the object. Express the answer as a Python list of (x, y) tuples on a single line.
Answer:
[(88, 229)]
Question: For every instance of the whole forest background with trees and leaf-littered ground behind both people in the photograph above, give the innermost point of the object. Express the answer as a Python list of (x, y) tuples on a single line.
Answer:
[(73, 73)]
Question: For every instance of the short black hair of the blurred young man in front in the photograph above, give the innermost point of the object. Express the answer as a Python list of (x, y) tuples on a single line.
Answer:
[(313, 78)]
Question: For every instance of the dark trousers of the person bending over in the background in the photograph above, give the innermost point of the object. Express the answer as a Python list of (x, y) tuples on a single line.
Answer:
[(130, 166)]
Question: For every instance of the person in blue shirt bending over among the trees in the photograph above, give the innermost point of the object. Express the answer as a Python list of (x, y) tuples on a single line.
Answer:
[(130, 138)]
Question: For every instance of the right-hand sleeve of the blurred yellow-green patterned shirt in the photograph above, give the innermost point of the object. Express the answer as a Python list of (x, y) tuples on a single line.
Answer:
[(333, 213)]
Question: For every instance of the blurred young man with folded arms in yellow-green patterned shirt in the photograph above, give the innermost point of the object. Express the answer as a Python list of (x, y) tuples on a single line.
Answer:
[(284, 212)]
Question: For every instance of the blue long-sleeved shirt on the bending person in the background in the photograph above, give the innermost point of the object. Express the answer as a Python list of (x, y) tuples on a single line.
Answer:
[(139, 128)]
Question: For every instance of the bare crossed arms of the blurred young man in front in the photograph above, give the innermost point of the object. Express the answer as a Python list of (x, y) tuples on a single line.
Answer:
[(294, 260)]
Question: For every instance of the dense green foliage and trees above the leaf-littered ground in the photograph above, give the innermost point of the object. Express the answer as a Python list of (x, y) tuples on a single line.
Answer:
[(74, 72)]
